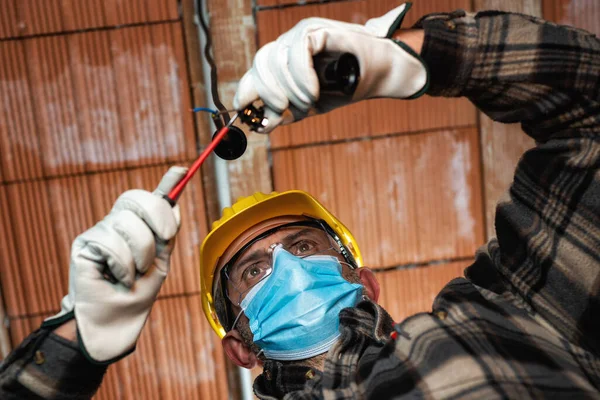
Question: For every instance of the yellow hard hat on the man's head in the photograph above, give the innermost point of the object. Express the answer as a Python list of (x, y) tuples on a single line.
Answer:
[(244, 214)]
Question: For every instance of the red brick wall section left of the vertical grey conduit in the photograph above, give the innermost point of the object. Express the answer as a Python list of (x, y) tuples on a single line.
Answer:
[(93, 101)]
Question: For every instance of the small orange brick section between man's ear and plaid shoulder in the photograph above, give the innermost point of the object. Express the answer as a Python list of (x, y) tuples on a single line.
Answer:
[(408, 291)]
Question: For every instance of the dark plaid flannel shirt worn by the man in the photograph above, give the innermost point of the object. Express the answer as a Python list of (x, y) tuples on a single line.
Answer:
[(521, 323)]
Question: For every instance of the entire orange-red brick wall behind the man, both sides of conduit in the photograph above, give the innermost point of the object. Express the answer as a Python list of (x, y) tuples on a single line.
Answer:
[(93, 100)]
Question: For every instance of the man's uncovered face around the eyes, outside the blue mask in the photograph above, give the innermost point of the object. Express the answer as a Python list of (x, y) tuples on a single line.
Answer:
[(252, 262)]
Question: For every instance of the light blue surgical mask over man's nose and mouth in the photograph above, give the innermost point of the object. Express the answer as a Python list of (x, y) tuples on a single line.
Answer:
[(294, 312)]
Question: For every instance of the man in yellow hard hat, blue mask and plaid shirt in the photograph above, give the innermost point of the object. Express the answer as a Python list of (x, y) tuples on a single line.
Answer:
[(282, 278)]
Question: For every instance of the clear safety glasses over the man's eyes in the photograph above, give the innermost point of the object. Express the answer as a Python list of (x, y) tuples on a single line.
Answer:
[(249, 266)]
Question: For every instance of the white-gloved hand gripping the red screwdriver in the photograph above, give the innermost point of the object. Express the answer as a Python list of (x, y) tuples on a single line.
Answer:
[(134, 242)]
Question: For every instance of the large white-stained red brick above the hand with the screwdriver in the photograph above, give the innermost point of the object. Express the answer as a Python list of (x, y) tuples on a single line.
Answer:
[(97, 101)]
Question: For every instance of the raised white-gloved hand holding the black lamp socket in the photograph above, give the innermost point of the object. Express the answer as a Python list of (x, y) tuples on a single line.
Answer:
[(283, 77)]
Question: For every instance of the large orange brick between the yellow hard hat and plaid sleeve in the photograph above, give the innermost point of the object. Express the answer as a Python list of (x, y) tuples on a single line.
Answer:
[(407, 199)]
